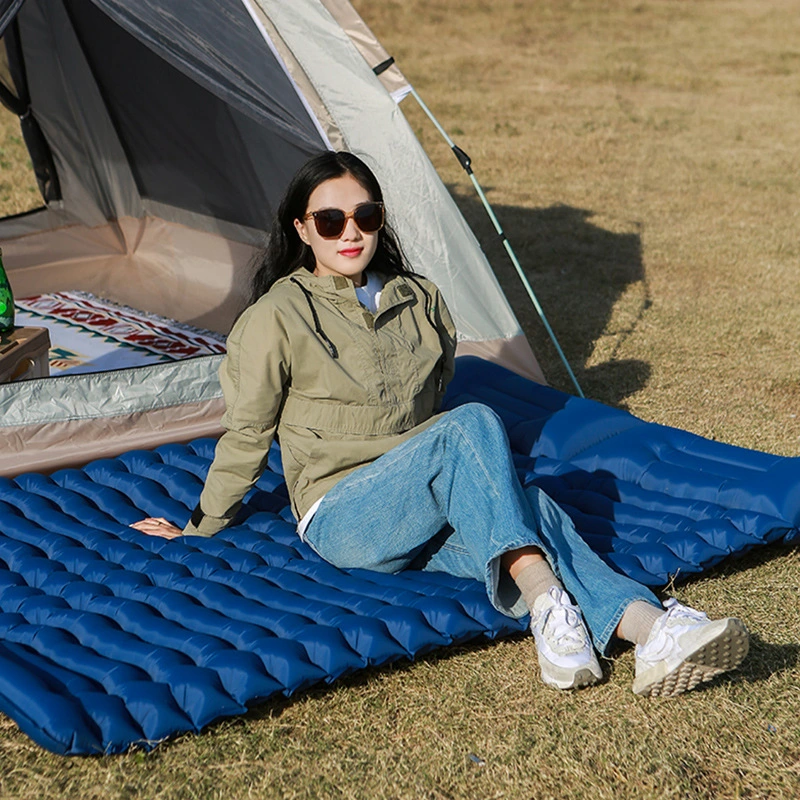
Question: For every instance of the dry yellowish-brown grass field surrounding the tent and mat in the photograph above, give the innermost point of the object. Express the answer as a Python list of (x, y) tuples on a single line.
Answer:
[(644, 160)]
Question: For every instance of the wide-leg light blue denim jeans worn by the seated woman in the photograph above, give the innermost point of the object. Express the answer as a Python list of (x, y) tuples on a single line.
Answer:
[(449, 500)]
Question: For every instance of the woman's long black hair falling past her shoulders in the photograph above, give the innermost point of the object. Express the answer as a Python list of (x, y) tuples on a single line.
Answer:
[(285, 251)]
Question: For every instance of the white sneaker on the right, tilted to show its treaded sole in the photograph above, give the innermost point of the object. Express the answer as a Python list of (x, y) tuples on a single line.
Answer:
[(686, 648)]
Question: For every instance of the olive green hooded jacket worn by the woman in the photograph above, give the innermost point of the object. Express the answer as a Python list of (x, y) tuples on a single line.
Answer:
[(337, 385)]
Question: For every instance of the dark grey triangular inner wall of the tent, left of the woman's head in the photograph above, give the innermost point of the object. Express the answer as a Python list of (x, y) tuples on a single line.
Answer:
[(170, 164)]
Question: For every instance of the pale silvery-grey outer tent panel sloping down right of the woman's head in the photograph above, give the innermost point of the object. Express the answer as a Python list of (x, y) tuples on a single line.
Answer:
[(435, 236)]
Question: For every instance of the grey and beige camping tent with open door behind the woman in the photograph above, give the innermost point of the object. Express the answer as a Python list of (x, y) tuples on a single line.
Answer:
[(162, 134)]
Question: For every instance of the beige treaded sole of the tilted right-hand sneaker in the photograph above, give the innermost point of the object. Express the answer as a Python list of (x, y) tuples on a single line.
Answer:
[(724, 652)]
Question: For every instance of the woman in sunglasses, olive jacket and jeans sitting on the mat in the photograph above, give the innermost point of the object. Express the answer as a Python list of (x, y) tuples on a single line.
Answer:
[(345, 355)]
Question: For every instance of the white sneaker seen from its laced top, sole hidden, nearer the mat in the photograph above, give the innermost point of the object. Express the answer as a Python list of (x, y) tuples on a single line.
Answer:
[(566, 655)]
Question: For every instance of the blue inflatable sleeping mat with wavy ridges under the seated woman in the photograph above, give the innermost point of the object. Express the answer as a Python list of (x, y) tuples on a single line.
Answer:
[(111, 639)]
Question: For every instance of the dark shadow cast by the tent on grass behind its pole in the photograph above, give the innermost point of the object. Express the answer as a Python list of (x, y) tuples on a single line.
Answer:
[(578, 271)]
